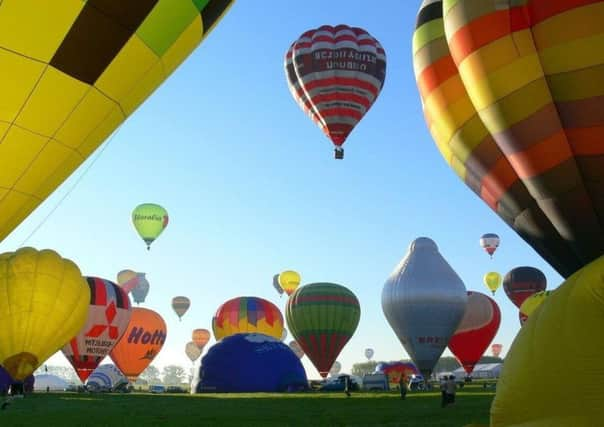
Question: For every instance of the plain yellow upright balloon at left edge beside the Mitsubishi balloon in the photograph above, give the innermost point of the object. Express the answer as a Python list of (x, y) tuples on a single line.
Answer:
[(44, 304)]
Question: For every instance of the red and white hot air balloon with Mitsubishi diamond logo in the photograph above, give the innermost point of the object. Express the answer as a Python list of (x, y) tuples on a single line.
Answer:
[(109, 314)]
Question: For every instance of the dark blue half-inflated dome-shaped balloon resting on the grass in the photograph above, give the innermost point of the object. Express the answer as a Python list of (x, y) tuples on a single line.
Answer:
[(247, 363)]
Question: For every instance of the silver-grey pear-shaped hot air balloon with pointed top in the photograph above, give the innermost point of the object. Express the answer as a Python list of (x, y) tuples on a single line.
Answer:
[(424, 301)]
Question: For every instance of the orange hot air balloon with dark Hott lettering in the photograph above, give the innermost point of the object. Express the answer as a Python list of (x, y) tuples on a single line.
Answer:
[(141, 342)]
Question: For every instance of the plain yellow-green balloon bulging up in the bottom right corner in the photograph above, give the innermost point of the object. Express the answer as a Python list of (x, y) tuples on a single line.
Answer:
[(553, 375)]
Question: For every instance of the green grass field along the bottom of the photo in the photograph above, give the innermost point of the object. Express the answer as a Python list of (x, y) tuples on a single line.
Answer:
[(244, 410)]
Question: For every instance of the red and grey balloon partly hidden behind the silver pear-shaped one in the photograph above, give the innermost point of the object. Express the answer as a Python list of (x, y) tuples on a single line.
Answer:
[(476, 331)]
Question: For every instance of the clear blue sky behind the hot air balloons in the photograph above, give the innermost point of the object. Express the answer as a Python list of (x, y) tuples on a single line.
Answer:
[(252, 188)]
